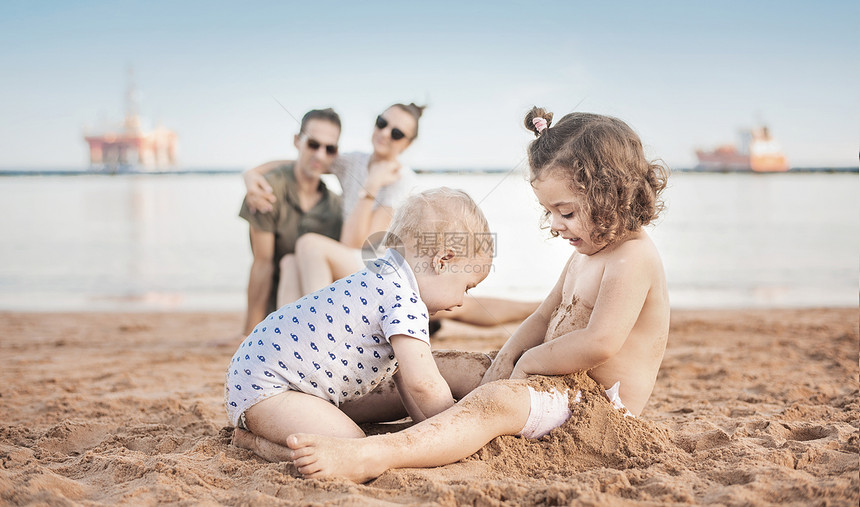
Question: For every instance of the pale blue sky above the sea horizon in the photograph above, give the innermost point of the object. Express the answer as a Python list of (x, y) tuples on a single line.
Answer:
[(684, 74)]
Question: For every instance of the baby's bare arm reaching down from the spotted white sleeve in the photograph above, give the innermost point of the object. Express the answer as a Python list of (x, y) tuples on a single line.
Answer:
[(422, 389)]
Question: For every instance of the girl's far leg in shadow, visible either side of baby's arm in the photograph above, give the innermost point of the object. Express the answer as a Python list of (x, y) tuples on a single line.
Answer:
[(462, 371)]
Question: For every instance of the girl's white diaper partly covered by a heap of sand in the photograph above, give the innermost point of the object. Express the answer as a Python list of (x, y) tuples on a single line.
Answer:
[(550, 409)]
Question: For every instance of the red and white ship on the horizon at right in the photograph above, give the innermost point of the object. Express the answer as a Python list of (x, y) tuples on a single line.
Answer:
[(757, 151)]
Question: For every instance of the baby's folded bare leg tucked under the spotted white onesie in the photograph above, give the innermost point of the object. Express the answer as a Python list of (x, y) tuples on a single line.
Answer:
[(272, 420)]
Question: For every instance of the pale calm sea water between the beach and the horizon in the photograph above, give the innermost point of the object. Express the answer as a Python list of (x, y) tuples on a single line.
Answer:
[(175, 242)]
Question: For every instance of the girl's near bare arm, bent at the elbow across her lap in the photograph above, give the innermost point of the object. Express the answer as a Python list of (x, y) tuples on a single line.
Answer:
[(620, 298)]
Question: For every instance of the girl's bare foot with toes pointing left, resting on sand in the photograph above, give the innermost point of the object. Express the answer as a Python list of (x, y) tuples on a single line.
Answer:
[(318, 456)]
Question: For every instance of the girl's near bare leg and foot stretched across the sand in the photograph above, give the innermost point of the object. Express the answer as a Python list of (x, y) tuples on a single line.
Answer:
[(498, 408)]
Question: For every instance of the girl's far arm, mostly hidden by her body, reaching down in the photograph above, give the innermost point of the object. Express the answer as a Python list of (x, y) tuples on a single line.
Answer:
[(531, 333)]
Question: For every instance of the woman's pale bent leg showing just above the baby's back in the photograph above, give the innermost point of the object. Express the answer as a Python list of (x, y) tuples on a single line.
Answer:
[(323, 260)]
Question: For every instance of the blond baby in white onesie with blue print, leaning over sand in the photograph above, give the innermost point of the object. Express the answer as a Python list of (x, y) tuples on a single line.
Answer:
[(303, 361)]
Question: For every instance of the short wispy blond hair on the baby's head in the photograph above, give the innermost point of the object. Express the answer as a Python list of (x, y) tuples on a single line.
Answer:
[(444, 214)]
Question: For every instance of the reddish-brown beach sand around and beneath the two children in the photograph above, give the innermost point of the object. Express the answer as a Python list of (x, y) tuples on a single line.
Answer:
[(750, 407)]
